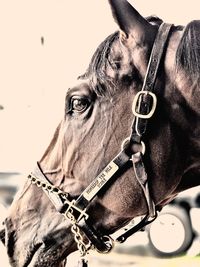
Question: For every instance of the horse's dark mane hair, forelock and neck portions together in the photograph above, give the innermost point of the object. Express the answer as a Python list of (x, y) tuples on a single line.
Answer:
[(187, 56)]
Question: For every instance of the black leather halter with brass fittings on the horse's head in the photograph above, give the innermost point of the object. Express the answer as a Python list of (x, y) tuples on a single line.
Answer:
[(144, 105)]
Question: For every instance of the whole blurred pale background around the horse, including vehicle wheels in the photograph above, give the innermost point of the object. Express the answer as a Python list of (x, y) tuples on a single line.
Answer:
[(45, 45)]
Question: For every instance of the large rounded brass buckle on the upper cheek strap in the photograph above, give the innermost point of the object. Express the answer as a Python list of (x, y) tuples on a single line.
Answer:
[(136, 102)]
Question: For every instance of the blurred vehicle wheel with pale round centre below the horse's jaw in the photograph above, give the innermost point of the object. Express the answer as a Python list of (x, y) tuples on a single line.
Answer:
[(171, 233)]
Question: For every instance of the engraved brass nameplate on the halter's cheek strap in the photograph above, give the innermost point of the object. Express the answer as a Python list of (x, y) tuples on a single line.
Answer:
[(100, 180)]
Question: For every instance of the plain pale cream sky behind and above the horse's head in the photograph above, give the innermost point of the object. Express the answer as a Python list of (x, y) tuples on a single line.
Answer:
[(34, 77)]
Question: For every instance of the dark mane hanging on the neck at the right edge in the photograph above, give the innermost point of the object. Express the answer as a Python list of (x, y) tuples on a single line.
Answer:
[(188, 52)]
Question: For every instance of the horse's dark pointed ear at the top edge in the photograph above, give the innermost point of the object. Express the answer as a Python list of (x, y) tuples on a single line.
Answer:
[(130, 21)]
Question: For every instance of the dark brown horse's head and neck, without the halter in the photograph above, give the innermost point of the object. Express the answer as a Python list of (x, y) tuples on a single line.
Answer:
[(98, 117)]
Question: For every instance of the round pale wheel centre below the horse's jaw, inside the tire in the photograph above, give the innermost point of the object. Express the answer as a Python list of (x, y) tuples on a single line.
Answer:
[(167, 233)]
